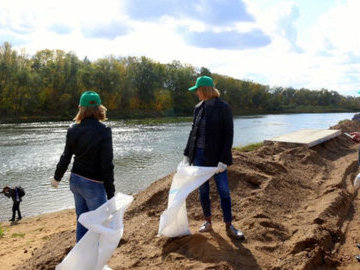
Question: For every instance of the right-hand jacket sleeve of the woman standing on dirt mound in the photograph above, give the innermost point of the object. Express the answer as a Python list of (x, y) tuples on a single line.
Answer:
[(228, 135)]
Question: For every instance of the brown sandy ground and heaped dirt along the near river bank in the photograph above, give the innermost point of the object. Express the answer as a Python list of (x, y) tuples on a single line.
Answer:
[(296, 206)]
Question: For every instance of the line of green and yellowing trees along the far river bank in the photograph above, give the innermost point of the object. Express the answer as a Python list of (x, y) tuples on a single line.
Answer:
[(48, 85)]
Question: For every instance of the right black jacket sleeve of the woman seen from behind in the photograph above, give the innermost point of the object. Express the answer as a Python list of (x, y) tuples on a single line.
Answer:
[(107, 166)]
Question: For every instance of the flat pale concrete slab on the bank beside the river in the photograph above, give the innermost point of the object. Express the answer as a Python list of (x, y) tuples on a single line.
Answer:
[(307, 137)]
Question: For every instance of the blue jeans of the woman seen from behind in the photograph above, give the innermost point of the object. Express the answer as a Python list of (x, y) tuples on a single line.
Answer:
[(88, 196)]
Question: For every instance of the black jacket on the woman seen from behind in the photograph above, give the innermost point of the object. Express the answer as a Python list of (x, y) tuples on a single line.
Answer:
[(91, 143)]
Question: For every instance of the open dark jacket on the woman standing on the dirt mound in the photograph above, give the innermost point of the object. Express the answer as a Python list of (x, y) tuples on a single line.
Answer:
[(219, 133)]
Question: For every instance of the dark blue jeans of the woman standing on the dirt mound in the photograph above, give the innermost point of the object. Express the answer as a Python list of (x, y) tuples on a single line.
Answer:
[(222, 185)]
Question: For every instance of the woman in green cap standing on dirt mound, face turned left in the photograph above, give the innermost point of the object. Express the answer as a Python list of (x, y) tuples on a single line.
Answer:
[(209, 144)]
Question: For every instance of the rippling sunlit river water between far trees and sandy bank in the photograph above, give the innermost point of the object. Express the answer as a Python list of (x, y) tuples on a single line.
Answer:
[(143, 153)]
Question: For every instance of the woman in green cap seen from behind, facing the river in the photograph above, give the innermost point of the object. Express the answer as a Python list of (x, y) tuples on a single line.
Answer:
[(92, 174)]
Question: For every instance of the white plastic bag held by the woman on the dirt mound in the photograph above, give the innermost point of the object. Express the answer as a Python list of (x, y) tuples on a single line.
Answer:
[(174, 221)]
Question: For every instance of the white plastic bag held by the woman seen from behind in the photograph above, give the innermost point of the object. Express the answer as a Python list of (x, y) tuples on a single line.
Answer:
[(105, 228)]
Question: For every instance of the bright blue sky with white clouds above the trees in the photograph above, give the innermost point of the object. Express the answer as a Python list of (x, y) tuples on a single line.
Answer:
[(299, 43)]
